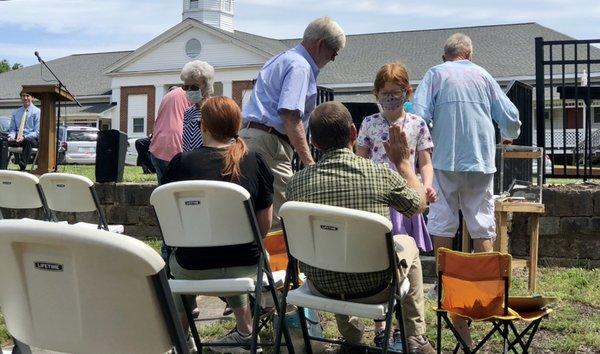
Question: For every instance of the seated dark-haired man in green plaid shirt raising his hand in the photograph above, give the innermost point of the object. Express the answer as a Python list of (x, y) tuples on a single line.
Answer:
[(343, 179)]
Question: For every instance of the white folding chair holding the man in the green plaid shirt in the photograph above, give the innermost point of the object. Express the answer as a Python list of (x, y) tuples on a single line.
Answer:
[(340, 240)]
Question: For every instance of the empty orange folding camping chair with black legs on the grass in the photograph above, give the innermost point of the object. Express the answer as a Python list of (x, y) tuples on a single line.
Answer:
[(476, 286)]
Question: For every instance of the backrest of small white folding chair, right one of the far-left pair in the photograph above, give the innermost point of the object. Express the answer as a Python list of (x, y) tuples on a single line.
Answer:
[(68, 192)]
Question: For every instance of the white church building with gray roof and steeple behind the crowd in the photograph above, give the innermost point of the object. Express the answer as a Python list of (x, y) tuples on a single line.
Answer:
[(122, 90)]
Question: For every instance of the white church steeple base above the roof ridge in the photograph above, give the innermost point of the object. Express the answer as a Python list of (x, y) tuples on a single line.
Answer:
[(216, 13)]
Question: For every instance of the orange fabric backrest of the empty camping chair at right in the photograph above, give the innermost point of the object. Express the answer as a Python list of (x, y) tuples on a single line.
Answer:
[(474, 284)]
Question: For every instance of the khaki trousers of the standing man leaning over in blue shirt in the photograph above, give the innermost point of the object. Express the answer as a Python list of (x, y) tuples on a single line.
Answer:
[(278, 156)]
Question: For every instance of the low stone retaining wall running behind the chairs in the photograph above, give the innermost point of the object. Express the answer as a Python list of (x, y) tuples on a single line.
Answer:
[(569, 231)]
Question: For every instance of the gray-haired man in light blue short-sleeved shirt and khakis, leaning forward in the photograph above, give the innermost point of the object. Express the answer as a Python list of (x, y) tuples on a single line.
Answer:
[(285, 93)]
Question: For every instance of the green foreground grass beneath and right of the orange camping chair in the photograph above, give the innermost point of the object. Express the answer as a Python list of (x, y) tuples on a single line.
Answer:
[(573, 327)]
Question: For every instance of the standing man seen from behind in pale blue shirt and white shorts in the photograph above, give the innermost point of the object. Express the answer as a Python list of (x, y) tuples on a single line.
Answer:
[(461, 100)]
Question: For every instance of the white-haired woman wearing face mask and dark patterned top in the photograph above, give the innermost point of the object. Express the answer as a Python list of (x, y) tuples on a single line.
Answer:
[(198, 78)]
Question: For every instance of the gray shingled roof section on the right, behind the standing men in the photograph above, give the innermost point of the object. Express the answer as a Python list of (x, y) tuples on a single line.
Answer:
[(504, 50)]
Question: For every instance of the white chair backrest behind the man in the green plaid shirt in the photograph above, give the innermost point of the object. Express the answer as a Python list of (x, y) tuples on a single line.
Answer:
[(337, 239)]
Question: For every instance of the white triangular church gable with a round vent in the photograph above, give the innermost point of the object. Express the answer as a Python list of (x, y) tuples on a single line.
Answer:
[(216, 51)]
